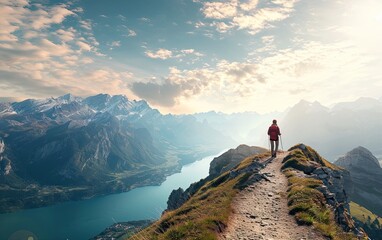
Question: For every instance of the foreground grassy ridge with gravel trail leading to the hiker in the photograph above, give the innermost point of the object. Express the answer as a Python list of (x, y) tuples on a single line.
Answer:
[(218, 208)]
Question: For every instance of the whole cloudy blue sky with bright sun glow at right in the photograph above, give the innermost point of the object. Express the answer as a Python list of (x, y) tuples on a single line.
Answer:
[(186, 56)]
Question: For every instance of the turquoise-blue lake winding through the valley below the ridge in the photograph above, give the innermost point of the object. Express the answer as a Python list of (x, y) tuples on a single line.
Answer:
[(85, 219)]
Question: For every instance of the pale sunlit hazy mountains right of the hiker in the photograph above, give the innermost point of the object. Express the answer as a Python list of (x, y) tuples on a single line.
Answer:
[(334, 130)]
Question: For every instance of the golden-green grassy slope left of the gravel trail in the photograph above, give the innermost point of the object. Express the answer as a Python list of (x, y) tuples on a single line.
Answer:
[(204, 215)]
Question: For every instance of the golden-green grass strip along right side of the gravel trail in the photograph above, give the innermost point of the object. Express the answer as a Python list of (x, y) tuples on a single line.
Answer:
[(306, 203)]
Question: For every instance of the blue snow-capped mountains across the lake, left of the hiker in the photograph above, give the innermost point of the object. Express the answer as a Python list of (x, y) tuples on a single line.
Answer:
[(69, 148)]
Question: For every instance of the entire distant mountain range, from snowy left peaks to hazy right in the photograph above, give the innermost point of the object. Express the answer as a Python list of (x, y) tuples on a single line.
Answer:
[(69, 148)]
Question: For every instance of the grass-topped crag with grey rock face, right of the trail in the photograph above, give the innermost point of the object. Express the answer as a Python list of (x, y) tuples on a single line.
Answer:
[(305, 164)]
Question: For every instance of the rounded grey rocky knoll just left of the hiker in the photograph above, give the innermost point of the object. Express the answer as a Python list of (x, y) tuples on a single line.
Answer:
[(231, 158)]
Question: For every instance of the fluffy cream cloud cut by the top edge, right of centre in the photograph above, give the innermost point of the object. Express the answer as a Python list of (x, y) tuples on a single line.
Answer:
[(246, 15)]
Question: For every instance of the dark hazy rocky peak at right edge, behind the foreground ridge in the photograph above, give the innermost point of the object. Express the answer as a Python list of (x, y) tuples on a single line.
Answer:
[(366, 176)]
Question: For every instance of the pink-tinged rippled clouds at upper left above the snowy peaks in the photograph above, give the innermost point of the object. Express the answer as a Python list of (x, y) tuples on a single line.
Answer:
[(47, 59)]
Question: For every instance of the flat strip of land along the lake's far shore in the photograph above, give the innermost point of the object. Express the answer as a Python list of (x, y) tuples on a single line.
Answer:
[(36, 196)]
